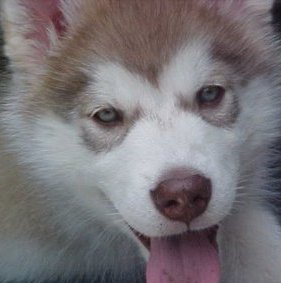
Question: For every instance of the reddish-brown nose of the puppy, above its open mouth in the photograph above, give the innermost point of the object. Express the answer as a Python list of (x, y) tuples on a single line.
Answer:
[(183, 198)]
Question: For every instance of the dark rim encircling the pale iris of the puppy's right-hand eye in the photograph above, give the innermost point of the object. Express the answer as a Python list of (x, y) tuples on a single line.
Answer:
[(212, 103)]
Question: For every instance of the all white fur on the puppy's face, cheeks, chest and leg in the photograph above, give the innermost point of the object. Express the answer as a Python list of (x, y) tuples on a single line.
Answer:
[(67, 211)]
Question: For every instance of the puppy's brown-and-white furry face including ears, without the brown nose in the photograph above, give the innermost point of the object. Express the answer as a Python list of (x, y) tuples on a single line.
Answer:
[(108, 106)]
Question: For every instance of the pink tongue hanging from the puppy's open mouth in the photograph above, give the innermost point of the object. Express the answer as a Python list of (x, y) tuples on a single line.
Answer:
[(190, 258)]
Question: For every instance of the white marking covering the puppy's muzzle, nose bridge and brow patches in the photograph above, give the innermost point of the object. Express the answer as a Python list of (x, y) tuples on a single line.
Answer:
[(163, 139)]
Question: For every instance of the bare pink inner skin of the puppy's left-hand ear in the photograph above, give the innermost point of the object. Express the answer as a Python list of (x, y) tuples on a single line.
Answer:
[(43, 14)]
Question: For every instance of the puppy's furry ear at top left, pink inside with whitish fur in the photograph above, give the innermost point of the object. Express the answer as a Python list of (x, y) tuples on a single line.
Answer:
[(32, 28)]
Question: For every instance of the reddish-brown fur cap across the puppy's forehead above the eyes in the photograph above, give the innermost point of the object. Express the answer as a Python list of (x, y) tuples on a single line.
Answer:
[(108, 32)]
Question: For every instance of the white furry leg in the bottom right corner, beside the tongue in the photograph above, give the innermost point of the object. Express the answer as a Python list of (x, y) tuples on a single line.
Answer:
[(251, 251)]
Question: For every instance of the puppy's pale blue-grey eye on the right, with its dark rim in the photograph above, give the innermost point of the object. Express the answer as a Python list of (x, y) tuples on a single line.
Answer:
[(210, 96)]
